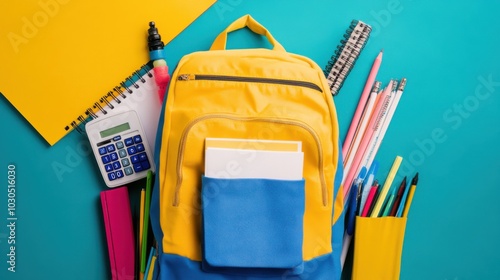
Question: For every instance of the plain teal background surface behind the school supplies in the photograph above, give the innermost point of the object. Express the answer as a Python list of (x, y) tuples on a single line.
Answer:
[(444, 128)]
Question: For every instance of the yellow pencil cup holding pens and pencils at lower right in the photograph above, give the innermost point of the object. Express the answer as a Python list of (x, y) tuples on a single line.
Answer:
[(378, 246)]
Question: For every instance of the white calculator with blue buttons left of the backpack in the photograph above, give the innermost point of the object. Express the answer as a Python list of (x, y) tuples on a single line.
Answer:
[(120, 147)]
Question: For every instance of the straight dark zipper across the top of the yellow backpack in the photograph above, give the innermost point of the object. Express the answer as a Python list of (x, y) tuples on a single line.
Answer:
[(193, 77)]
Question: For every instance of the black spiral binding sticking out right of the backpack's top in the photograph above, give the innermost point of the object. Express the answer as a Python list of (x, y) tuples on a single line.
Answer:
[(346, 54)]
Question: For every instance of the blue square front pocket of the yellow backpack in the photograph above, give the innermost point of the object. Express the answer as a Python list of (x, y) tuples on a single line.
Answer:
[(253, 223)]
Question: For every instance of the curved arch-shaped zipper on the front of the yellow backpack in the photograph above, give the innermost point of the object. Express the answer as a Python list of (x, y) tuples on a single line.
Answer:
[(182, 147)]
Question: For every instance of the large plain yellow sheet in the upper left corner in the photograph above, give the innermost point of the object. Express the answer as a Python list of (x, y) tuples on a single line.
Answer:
[(59, 57)]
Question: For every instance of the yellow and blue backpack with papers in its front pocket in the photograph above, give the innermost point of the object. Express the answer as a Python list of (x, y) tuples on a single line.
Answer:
[(250, 228)]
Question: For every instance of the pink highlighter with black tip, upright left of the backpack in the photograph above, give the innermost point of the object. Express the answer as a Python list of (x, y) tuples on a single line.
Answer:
[(157, 55)]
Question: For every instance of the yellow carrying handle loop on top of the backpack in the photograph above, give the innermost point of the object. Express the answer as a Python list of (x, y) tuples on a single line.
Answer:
[(242, 22)]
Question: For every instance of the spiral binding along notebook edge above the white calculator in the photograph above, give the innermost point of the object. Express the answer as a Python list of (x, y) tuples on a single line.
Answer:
[(105, 104)]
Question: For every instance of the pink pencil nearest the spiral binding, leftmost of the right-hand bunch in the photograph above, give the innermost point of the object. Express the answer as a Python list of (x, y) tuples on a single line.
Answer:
[(361, 104)]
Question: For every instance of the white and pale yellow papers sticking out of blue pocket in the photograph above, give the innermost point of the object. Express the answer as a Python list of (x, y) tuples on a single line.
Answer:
[(249, 158)]
